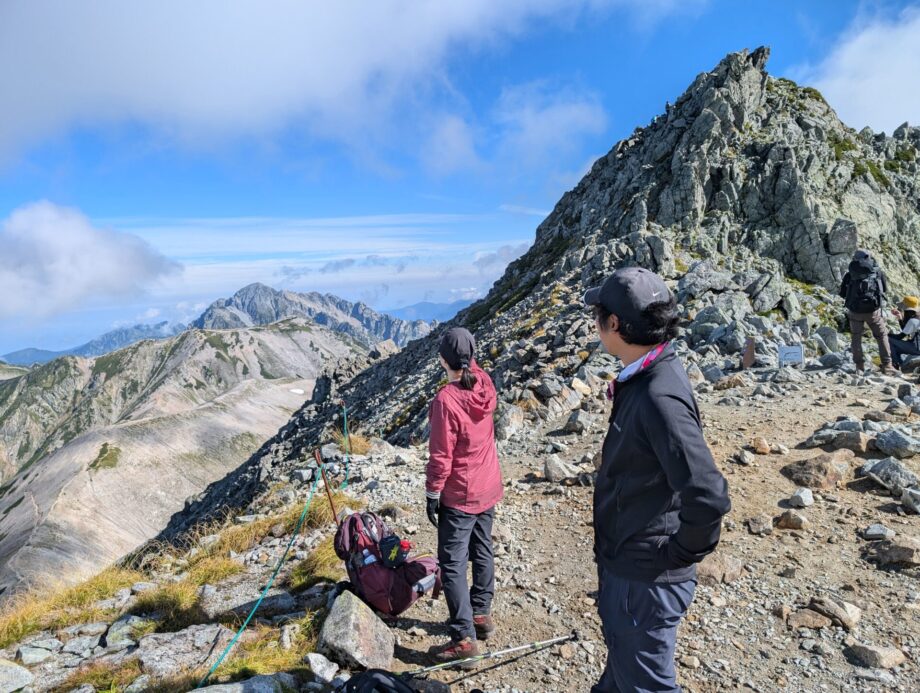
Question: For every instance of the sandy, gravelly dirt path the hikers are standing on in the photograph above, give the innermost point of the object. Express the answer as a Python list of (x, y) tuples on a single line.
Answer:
[(730, 639)]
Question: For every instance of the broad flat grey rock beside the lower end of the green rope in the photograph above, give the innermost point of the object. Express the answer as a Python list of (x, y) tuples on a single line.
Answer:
[(168, 654)]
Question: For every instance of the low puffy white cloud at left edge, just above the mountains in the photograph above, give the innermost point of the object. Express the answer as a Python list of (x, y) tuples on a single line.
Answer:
[(54, 259)]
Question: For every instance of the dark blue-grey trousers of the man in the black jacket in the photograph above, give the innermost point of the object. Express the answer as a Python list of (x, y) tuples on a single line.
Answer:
[(640, 622)]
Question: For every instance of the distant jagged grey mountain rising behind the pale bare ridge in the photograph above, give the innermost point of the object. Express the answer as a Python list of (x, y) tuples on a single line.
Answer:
[(258, 304)]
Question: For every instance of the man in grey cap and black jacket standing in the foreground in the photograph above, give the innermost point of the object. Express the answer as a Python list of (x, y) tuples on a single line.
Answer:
[(659, 498)]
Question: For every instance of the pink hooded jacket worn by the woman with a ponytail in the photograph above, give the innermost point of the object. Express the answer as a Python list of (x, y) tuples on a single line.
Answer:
[(462, 461)]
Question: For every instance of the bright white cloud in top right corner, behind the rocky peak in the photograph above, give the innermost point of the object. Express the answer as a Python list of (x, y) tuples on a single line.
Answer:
[(870, 77)]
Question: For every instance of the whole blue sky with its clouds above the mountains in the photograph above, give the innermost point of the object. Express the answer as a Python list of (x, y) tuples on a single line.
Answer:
[(156, 156)]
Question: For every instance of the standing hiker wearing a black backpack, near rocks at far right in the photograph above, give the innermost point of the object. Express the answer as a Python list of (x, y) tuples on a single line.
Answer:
[(864, 288)]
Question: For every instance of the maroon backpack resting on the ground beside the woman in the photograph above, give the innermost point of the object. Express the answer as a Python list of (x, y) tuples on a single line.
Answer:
[(389, 590)]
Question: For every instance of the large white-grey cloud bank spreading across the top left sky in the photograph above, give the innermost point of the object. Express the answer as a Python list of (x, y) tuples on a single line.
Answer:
[(200, 72)]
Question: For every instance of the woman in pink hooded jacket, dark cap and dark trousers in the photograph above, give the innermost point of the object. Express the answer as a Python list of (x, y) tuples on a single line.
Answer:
[(464, 483)]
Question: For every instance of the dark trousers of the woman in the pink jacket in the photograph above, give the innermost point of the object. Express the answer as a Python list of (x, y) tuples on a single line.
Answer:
[(461, 538)]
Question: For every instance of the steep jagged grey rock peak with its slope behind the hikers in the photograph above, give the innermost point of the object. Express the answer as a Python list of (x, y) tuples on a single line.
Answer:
[(748, 195)]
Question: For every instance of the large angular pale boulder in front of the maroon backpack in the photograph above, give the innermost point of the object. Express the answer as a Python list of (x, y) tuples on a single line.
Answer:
[(353, 636)]
